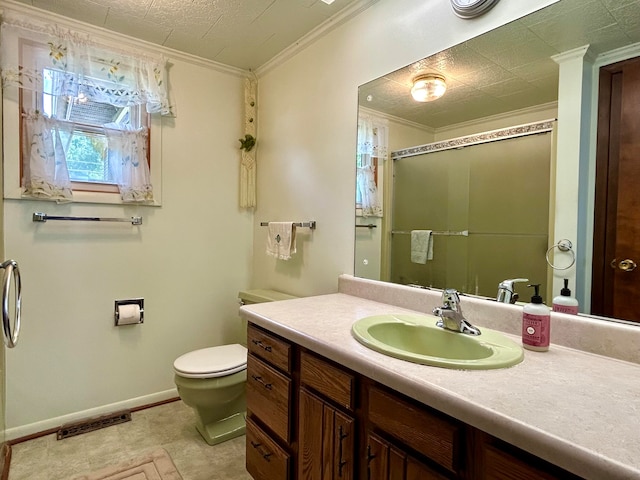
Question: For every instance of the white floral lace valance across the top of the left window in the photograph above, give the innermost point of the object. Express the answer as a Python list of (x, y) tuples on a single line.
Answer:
[(82, 67)]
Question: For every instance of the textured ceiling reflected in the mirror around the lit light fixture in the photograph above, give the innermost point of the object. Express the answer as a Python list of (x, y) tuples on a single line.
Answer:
[(508, 68)]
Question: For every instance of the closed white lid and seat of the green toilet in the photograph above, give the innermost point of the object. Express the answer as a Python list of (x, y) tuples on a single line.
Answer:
[(212, 362)]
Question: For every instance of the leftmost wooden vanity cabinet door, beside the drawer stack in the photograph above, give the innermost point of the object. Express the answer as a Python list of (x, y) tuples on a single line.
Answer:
[(326, 441)]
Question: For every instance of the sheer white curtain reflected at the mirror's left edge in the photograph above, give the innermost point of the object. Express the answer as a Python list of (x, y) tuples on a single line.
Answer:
[(373, 138)]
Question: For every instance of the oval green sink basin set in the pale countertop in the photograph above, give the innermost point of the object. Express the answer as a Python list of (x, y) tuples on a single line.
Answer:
[(416, 338)]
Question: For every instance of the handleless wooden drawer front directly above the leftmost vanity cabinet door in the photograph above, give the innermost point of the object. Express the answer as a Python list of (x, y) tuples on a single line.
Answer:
[(331, 381)]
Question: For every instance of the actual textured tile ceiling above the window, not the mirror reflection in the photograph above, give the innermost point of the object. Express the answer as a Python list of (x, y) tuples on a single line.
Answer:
[(240, 33)]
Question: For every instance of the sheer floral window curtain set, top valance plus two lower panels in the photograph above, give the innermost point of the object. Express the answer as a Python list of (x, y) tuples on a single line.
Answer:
[(81, 67)]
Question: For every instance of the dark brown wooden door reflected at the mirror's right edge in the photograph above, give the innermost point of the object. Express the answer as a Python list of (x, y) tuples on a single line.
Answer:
[(616, 278)]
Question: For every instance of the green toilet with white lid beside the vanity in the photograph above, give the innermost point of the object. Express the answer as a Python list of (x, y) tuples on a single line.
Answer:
[(212, 380)]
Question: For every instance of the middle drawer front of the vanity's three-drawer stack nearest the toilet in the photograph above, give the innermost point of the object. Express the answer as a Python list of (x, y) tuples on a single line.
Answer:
[(269, 396)]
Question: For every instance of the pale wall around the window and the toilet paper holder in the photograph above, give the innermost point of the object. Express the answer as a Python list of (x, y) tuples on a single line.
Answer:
[(188, 260)]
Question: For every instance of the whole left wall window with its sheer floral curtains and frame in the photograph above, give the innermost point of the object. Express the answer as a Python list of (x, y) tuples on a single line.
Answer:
[(85, 114)]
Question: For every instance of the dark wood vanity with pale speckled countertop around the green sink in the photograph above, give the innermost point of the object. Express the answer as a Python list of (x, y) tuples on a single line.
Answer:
[(321, 405)]
